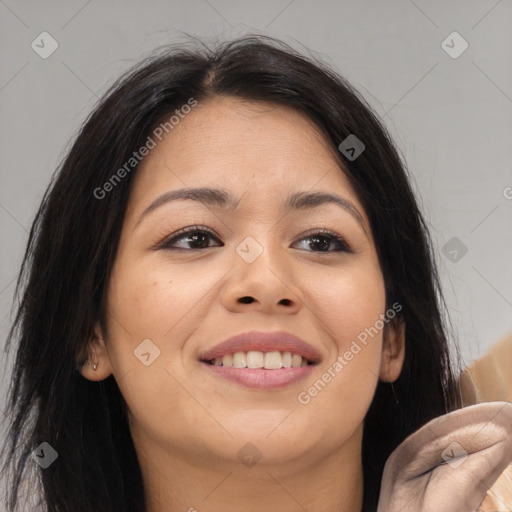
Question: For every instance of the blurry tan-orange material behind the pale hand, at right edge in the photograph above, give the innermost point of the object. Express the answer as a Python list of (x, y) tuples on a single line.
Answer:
[(489, 379)]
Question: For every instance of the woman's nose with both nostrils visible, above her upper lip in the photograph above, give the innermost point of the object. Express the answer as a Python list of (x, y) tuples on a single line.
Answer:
[(266, 285)]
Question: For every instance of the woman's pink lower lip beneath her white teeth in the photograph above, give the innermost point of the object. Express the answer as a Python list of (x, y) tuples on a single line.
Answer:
[(260, 378)]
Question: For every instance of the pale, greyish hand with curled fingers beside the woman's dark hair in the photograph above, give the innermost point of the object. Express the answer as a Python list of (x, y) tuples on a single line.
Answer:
[(449, 464)]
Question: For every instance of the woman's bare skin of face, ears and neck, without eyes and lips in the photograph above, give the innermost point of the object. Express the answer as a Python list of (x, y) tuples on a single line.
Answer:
[(188, 424)]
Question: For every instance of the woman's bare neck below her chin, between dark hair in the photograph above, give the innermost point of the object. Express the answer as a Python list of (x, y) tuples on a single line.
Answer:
[(330, 482)]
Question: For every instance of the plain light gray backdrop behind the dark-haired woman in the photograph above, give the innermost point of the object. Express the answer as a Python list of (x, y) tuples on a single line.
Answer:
[(451, 117)]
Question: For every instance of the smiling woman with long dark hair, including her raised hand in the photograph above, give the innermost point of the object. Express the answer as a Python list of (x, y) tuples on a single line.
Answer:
[(230, 303)]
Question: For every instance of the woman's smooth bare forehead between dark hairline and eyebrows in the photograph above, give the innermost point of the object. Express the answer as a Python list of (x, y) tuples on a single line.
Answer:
[(254, 149)]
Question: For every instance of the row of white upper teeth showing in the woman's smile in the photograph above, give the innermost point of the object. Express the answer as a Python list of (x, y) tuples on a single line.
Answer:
[(254, 359)]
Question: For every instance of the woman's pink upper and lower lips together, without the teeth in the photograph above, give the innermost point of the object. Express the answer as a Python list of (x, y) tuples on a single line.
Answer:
[(261, 378)]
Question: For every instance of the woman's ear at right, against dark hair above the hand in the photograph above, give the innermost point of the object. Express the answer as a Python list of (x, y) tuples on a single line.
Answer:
[(393, 350)]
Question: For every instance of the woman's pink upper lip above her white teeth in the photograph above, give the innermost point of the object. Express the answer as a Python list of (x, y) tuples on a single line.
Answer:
[(264, 342)]
